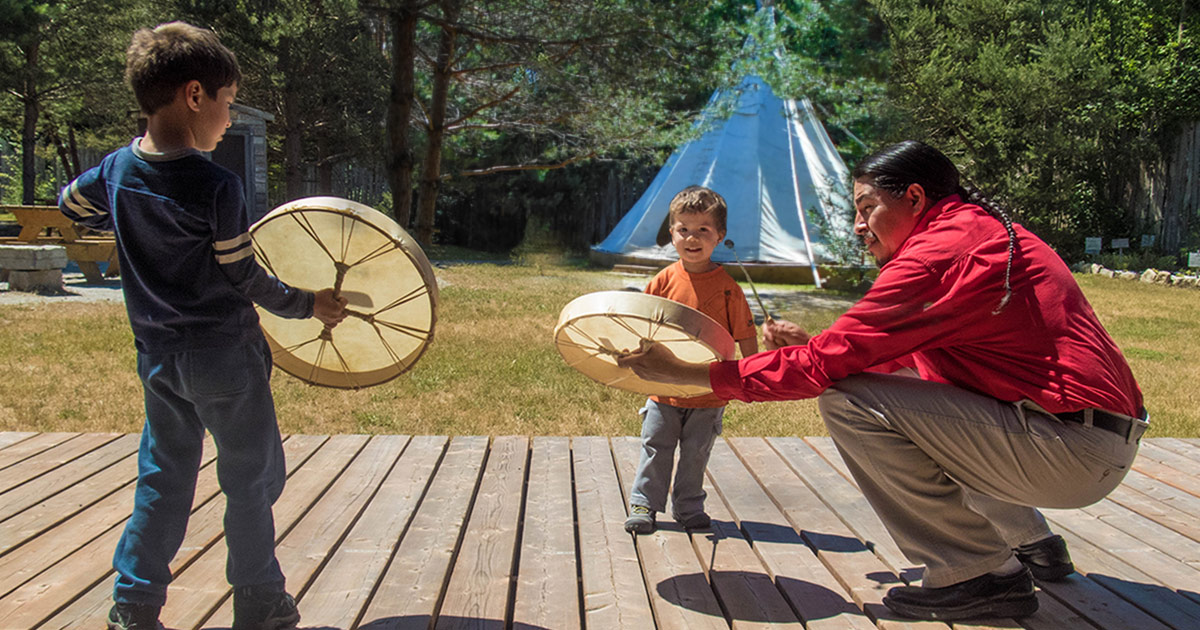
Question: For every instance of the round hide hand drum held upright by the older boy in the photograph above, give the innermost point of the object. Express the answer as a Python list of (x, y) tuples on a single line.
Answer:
[(328, 242)]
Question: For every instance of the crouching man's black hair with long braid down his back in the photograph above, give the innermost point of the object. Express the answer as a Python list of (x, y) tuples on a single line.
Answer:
[(899, 166)]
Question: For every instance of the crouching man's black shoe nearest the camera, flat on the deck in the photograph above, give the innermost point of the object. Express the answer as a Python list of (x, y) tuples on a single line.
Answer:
[(988, 596)]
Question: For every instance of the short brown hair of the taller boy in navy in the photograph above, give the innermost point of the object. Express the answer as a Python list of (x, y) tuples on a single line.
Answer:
[(160, 61)]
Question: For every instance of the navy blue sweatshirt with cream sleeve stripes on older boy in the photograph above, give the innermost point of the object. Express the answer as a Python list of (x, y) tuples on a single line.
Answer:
[(183, 239)]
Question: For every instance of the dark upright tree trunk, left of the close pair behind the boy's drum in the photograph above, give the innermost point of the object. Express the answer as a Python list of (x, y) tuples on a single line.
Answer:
[(400, 111)]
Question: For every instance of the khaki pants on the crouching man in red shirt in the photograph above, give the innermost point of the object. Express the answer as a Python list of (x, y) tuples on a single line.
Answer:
[(956, 476)]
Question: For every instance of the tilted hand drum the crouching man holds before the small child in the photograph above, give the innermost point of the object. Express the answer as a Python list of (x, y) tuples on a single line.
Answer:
[(597, 328)]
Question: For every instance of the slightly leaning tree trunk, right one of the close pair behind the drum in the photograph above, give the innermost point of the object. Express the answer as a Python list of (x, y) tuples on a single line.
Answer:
[(431, 169)]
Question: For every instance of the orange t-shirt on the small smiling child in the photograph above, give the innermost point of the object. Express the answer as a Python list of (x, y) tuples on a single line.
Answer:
[(716, 295)]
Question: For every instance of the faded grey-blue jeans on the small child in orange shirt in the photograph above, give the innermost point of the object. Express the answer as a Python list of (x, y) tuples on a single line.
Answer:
[(663, 428)]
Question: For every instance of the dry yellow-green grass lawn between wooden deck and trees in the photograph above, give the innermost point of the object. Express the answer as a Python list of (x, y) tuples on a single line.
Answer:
[(493, 368)]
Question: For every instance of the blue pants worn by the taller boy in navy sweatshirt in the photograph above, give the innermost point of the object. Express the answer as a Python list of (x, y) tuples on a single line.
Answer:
[(226, 392)]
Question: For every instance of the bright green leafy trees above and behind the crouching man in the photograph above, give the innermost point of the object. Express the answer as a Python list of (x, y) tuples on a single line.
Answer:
[(1054, 107)]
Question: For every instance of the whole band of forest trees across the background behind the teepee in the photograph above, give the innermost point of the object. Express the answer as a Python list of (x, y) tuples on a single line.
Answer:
[(518, 122)]
